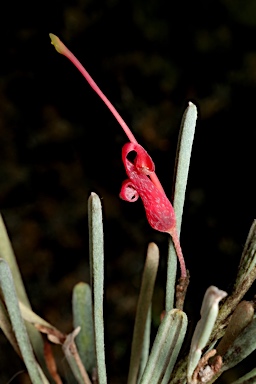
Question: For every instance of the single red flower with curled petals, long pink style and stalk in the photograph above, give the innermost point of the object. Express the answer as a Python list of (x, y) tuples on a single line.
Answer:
[(142, 180)]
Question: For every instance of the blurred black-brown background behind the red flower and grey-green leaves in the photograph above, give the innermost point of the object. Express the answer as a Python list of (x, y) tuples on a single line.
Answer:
[(58, 142)]
